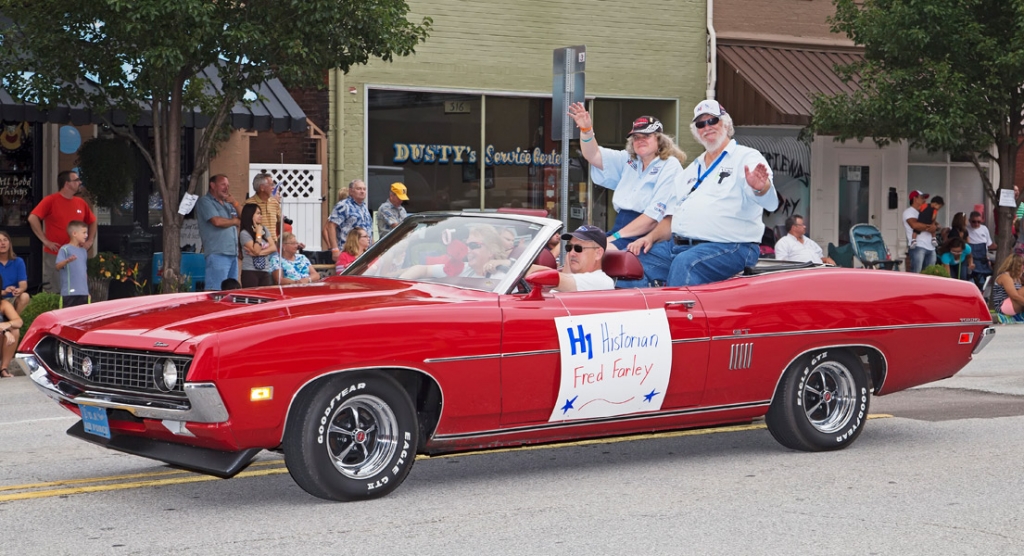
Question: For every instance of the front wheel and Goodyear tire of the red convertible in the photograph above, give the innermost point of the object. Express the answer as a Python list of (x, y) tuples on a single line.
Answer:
[(354, 439)]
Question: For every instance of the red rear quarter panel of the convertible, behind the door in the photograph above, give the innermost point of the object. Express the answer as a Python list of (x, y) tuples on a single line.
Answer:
[(914, 321)]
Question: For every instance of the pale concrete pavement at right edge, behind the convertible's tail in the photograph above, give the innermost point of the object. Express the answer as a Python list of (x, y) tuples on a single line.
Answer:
[(999, 369)]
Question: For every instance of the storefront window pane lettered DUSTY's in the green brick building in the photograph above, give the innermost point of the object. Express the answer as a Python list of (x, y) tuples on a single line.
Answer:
[(431, 143)]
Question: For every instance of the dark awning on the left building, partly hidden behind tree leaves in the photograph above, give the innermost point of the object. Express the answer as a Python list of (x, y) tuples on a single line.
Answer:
[(275, 110)]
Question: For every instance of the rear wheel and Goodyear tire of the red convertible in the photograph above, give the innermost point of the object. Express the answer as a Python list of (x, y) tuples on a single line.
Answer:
[(822, 402)]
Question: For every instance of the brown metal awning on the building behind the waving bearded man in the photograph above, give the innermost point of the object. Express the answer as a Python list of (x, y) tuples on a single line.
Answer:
[(767, 85)]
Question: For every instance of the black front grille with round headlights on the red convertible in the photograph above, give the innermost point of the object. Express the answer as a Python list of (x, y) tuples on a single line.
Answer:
[(124, 370)]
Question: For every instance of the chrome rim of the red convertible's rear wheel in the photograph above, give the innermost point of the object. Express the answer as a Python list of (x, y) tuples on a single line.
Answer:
[(829, 397)]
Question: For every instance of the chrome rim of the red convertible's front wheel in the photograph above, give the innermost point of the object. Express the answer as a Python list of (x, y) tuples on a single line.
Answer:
[(362, 438)]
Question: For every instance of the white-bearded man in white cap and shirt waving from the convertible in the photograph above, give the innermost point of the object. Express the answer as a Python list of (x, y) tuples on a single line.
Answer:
[(713, 228)]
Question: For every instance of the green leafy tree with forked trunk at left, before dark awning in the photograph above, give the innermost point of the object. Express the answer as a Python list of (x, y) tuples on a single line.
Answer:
[(136, 55)]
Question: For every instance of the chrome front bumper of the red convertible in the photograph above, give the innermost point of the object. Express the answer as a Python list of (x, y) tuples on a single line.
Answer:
[(204, 406)]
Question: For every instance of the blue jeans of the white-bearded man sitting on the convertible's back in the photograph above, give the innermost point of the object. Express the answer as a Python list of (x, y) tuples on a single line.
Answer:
[(693, 266)]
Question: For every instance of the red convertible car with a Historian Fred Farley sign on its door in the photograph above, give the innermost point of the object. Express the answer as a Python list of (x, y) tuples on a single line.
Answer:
[(417, 349)]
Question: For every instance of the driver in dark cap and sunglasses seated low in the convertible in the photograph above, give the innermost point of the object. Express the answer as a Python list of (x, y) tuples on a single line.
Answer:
[(584, 253)]
